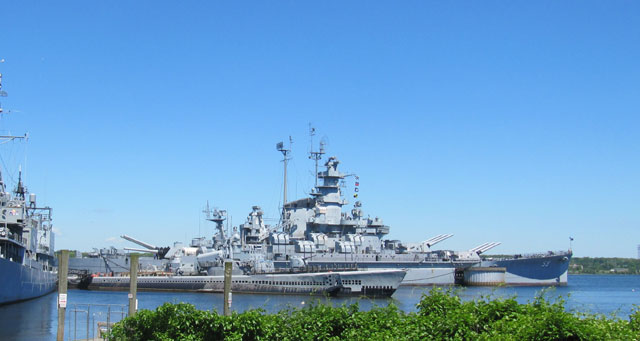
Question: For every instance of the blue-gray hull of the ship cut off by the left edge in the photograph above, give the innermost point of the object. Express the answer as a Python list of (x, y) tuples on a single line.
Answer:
[(20, 282)]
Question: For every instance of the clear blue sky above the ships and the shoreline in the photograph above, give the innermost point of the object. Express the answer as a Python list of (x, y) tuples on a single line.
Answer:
[(501, 121)]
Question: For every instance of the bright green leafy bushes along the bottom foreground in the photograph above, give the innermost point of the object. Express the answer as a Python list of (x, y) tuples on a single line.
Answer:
[(441, 315)]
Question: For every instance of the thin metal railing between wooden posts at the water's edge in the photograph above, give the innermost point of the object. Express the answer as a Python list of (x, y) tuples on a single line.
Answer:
[(92, 321)]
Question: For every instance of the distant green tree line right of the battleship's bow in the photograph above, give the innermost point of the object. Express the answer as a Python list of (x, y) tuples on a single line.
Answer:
[(588, 265)]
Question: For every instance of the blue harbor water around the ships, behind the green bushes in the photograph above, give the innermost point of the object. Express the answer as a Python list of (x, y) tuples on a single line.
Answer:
[(37, 319)]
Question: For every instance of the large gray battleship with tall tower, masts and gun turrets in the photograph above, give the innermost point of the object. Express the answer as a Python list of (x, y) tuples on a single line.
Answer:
[(316, 232)]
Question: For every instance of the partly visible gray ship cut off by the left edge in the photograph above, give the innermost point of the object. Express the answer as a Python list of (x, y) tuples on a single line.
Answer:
[(27, 262)]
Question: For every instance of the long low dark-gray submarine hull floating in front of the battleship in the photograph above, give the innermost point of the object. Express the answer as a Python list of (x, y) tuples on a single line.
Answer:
[(365, 283)]
